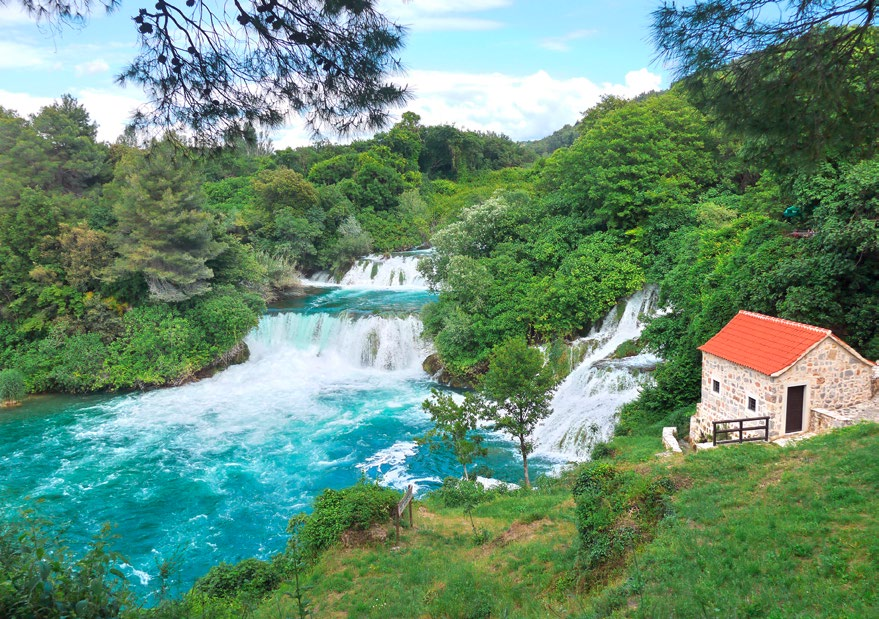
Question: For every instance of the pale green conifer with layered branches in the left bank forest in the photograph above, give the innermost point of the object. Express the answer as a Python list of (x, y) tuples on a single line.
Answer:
[(163, 233)]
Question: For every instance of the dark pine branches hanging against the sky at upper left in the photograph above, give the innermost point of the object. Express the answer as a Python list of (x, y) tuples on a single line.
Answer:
[(218, 68)]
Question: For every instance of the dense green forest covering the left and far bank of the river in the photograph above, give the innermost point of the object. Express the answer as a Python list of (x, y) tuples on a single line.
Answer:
[(128, 266)]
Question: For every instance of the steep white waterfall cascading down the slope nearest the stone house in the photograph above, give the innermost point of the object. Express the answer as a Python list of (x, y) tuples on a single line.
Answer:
[(586, 403)]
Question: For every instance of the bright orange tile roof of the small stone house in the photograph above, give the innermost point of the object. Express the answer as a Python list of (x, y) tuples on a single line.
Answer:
[(764, 343)]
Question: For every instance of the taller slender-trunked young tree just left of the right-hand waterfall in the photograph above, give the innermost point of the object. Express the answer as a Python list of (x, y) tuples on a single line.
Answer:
[(518, 389)]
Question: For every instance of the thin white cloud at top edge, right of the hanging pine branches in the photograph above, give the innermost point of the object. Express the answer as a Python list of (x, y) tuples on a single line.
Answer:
[(445, 15)]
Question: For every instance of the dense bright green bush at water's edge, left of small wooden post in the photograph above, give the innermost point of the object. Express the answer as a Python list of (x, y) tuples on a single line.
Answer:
[(335, 511)]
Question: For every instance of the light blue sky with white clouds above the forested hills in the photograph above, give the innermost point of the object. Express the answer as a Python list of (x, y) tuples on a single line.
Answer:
[(523, 68)]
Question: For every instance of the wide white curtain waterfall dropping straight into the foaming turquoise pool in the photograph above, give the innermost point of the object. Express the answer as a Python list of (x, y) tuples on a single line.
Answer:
[(351, 338)]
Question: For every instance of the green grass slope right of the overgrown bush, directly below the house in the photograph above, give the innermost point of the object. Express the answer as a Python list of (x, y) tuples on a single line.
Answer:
[(760, 531)]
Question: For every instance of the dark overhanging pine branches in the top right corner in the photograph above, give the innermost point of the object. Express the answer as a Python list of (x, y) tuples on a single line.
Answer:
[(798, 79)]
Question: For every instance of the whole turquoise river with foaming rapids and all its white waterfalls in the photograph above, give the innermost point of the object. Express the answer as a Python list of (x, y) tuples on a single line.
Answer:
[(211, 471)]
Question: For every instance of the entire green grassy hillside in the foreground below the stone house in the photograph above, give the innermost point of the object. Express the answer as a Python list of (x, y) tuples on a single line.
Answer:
[(751, 531)]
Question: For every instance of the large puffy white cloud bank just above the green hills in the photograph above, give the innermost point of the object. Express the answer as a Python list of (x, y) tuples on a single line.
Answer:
[(522, 107)]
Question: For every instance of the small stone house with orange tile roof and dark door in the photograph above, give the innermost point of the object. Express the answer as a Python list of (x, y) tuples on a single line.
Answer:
[(803, 378)]
